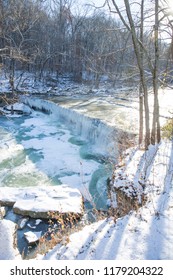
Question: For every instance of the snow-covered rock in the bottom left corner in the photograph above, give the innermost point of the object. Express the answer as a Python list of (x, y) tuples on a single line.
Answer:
[(8, 250)]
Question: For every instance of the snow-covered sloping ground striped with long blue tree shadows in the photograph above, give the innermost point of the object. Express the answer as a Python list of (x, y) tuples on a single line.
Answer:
[(146, 234)]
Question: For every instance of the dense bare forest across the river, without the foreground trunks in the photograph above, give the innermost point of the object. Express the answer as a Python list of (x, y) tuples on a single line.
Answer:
[(90, 44)]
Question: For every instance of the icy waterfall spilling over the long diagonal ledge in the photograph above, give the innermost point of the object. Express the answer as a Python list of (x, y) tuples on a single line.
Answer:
[(102, 137)]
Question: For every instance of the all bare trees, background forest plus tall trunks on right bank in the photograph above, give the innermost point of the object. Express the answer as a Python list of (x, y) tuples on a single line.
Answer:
[(129, 43)]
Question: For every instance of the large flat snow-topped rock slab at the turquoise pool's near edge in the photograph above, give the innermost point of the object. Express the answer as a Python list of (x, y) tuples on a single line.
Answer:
[(40, 202)]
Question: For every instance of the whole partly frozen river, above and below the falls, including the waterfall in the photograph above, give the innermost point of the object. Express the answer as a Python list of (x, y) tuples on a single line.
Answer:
[(72, 144)]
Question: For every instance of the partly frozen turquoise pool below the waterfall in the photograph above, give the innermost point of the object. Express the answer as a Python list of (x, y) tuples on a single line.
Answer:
[(40, 150)]
